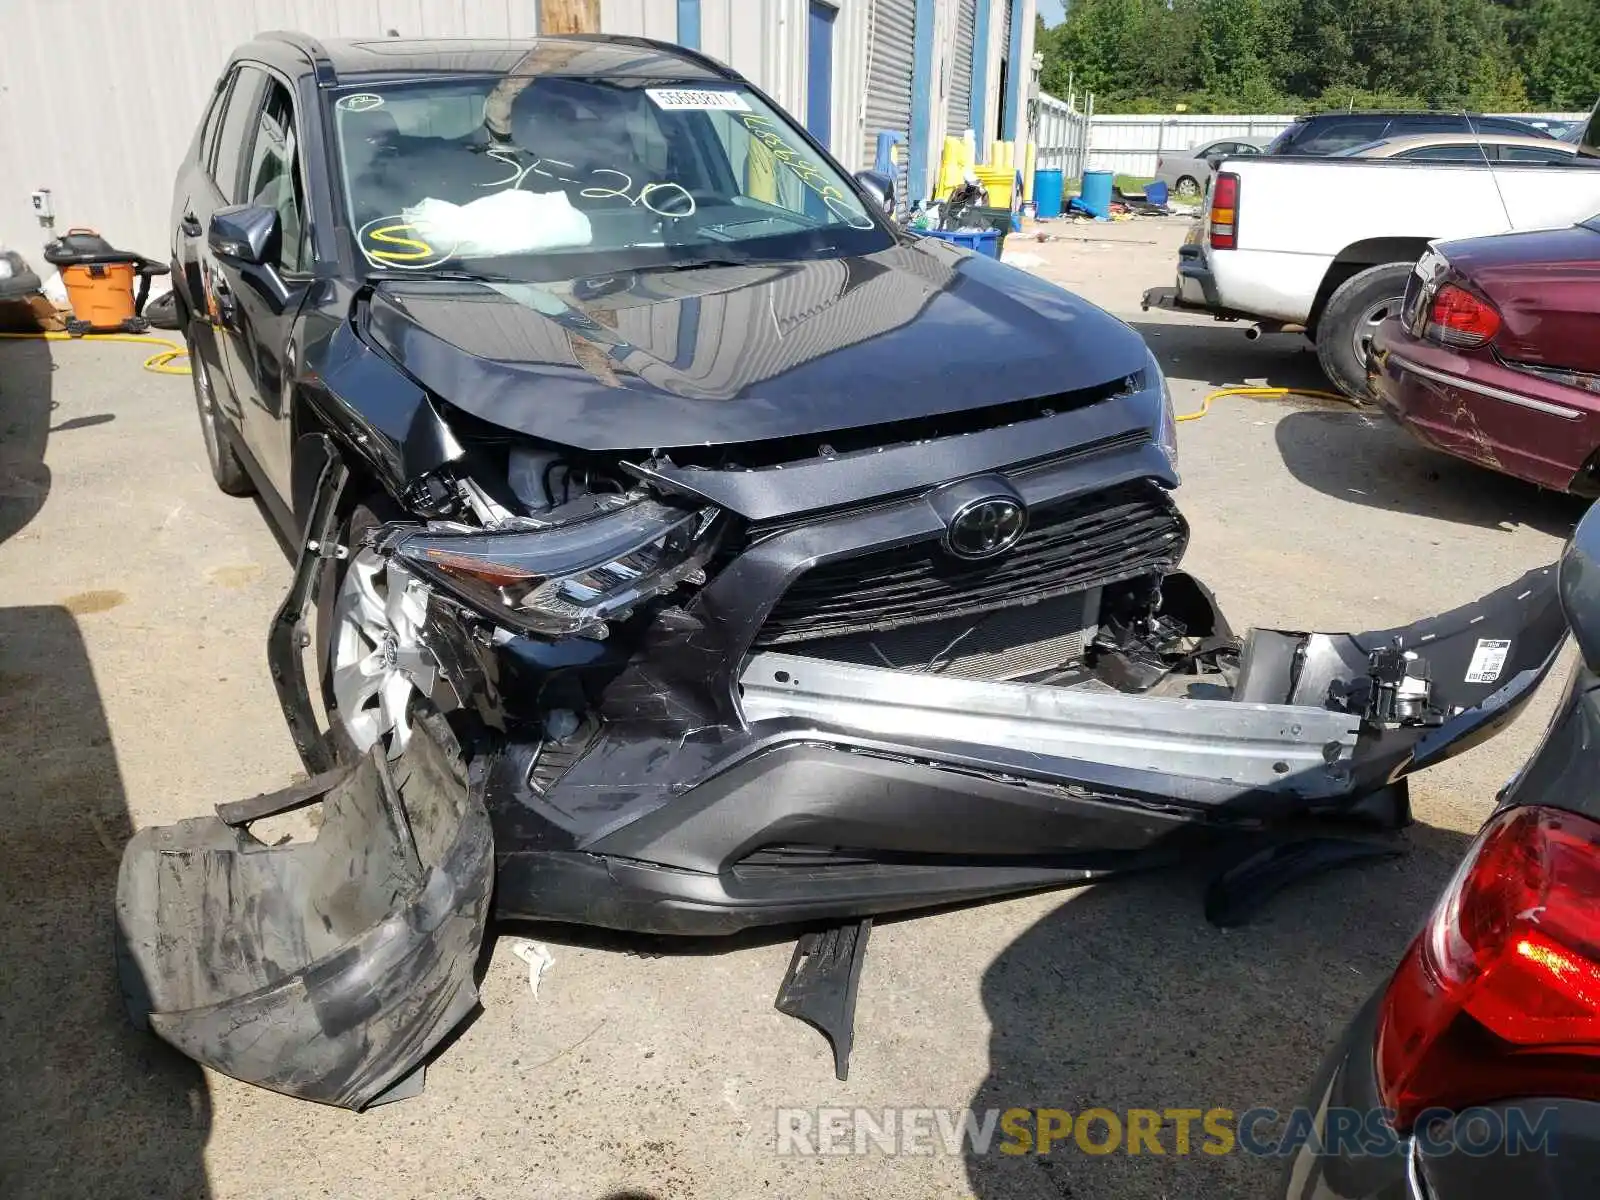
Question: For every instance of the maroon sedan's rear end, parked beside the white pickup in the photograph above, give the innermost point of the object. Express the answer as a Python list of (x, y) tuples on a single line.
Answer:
[(1497, 354)]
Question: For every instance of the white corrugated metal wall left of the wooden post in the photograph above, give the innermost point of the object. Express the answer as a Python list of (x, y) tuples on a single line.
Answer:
[(98, 102)]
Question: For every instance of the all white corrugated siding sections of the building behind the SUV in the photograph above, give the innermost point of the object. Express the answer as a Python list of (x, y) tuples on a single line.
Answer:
[(98, 102)]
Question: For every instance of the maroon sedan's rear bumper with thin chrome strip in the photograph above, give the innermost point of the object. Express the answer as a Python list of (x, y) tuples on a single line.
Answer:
[(1473, 407)]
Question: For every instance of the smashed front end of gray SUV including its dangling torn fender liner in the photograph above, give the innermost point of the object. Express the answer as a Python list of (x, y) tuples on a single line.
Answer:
[(697, 692)]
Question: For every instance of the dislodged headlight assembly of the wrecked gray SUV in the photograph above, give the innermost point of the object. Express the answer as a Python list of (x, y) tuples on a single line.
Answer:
[(572, 578)]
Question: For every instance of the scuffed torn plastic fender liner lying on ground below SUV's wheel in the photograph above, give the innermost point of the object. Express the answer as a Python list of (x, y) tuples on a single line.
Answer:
[(327, 969)]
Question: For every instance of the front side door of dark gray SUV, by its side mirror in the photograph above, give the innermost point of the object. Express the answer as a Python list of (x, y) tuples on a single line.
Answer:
[(263, 302)]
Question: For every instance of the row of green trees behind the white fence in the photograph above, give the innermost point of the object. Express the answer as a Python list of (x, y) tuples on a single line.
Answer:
[(1268, 55)]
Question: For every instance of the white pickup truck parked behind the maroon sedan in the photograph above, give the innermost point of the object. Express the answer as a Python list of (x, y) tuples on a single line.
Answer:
[(1326, 246)]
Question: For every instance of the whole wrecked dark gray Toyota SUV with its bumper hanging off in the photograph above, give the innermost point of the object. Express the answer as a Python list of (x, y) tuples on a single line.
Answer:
[(684, 548)]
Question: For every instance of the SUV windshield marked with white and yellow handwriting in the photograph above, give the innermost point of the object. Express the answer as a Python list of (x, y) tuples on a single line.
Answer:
[(554, 177)]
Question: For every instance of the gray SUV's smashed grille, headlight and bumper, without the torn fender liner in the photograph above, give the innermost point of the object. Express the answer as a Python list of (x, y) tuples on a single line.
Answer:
[(761, 689)]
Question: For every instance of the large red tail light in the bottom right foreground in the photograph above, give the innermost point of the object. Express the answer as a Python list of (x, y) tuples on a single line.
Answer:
[(1500, 996)]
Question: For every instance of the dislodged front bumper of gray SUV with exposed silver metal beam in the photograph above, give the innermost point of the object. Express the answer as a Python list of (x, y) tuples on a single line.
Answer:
[(841, 791)]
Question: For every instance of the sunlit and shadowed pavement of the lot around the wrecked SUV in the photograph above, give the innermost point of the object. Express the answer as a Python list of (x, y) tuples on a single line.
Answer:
[(134, 609)]
